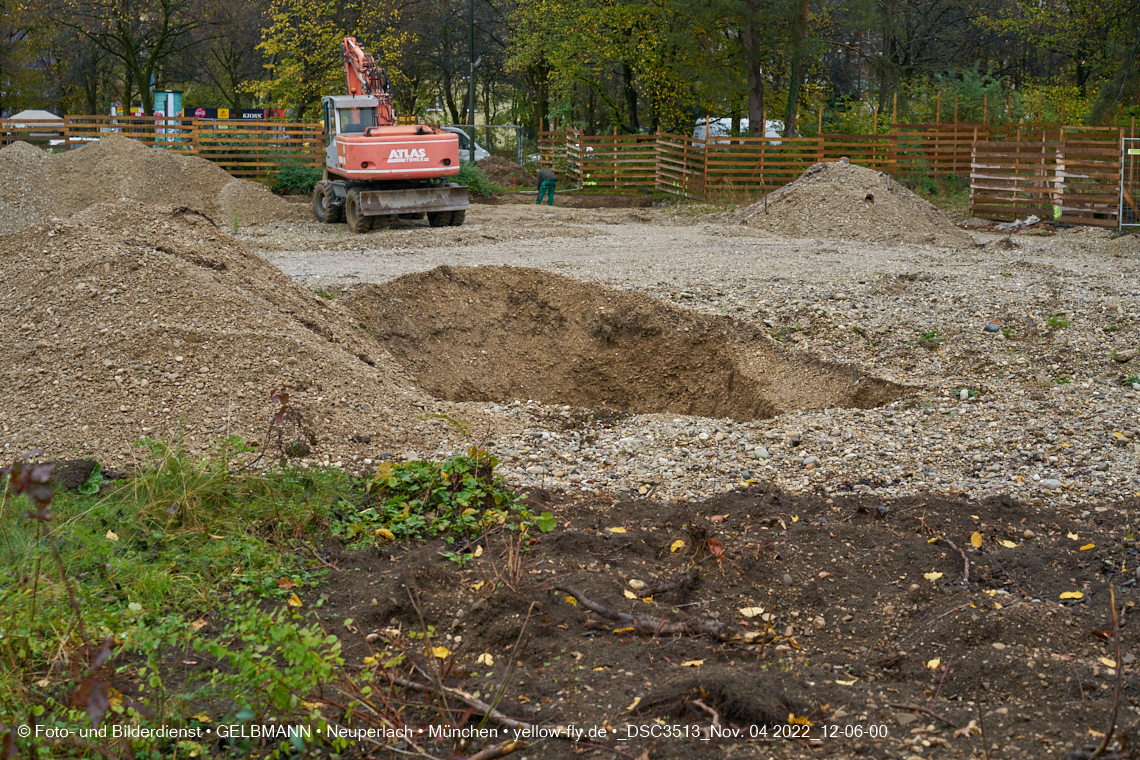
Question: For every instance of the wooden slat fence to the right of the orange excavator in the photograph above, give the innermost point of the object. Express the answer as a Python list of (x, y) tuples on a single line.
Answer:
[(1014, 170)]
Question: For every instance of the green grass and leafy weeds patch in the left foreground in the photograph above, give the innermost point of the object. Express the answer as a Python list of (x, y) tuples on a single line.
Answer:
[(199, 558)]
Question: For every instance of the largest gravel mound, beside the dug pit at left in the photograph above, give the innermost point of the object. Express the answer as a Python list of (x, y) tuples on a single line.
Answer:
[(128, 322)]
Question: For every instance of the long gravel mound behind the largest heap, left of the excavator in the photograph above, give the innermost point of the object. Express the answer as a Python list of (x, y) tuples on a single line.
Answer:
[(38, 186)]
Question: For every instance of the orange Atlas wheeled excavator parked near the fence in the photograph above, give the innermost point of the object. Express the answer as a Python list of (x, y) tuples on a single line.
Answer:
[(378, 170)]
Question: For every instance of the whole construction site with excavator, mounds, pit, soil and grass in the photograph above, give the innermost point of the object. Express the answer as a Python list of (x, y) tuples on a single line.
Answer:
[(662, 471)]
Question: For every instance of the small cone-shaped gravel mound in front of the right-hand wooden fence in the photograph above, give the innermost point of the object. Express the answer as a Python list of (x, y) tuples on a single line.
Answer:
[(852, 203)]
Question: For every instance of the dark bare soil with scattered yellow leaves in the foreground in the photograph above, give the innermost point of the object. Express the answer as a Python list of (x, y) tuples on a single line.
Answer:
[(887, 640)]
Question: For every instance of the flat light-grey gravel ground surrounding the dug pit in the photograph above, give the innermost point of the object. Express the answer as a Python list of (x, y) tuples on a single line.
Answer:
[(1041, 408)]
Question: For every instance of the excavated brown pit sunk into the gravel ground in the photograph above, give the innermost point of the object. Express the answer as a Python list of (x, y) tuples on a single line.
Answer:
[(500, 333)]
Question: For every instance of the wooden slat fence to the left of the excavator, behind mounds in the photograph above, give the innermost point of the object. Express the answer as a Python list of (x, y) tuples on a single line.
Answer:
[(254, 150)]
